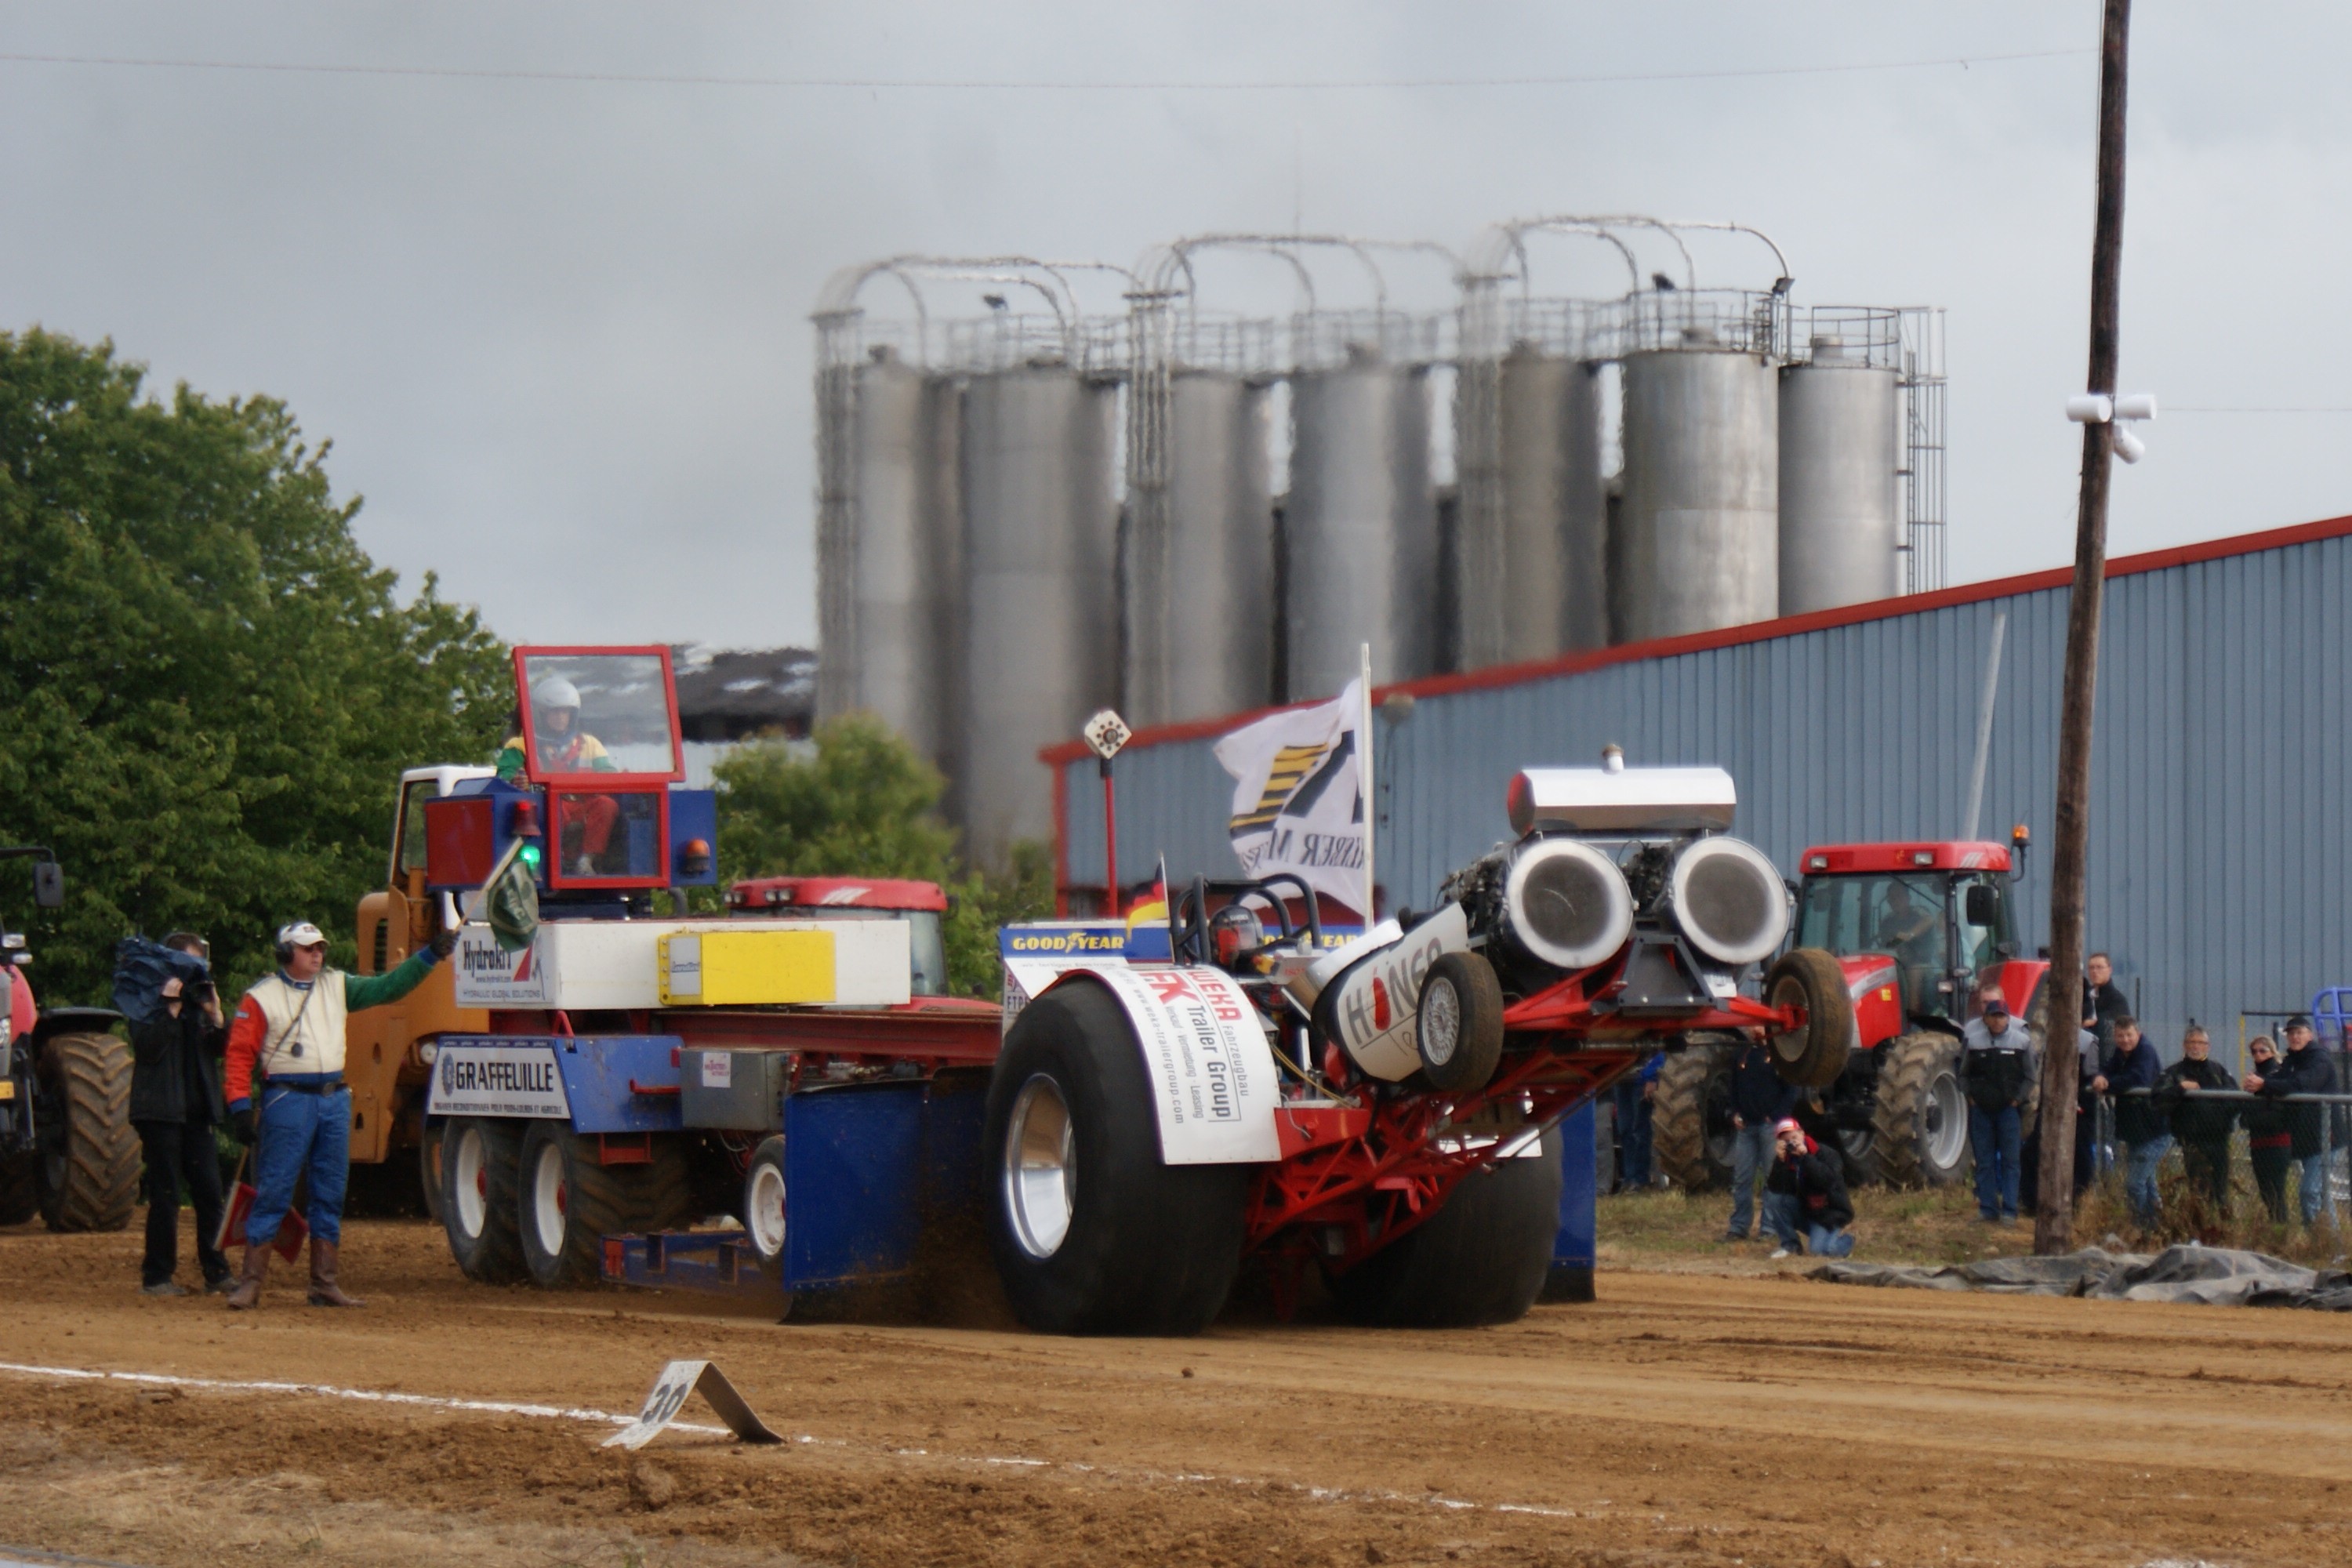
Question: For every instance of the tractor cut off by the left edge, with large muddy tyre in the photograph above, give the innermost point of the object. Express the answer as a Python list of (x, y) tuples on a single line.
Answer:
[(67, 1146)]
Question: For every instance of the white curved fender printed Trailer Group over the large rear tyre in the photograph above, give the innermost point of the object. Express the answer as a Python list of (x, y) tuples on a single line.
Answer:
[(1208, 1059)]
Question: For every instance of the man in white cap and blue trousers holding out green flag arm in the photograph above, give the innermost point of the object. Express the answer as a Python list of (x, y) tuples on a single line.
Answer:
[(290, 1031)]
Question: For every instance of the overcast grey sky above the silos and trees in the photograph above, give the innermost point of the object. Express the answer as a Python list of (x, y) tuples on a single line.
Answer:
[(559, 330)]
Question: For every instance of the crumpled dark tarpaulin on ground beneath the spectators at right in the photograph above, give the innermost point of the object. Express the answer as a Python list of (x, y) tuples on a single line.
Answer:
[(2203, 1275)]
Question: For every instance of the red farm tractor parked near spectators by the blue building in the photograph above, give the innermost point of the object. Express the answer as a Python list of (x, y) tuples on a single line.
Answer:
[(1918, 930)]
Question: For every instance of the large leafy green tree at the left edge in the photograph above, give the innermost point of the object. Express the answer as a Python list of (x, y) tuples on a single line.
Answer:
[(211, 690)]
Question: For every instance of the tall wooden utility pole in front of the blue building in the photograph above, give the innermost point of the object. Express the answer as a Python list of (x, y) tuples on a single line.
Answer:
[(2071, 843)]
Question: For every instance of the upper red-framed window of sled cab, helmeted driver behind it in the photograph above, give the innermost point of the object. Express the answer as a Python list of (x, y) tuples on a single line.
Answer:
[(599, 713)]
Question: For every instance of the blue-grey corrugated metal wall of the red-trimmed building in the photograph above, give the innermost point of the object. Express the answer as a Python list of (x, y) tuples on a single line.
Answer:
[(2219, 824)]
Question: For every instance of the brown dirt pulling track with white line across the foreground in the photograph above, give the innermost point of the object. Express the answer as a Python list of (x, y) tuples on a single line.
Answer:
[(1681, 1421)]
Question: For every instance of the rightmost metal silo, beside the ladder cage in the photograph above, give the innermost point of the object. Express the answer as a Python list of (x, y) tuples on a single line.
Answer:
[(1840, 474)]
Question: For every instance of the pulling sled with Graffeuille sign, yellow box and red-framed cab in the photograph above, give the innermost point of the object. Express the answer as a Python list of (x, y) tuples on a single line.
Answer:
[(632, 1068)]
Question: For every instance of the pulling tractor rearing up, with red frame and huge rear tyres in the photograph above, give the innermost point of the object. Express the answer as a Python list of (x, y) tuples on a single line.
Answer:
[(1382, 1113)]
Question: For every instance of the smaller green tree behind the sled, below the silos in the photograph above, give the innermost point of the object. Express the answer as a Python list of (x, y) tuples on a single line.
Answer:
[(864, 805)]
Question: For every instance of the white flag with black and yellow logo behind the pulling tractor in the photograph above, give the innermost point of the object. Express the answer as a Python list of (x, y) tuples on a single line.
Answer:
[(1297, 796)]
